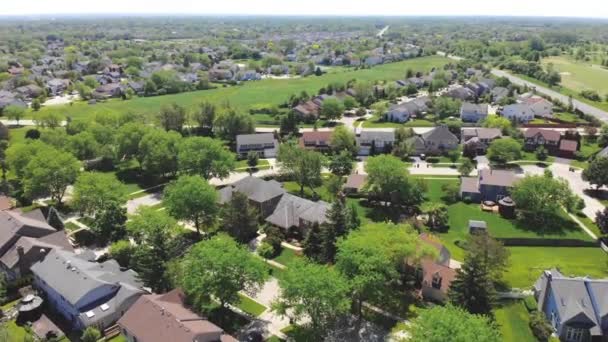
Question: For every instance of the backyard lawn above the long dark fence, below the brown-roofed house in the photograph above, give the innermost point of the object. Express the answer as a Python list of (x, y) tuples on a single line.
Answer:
[(460, 214)]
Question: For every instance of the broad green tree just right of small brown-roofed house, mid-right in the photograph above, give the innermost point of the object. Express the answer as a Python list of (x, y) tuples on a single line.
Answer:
[(388, 181)]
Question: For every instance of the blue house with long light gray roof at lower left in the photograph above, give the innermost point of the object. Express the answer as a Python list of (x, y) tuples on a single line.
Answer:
[(85, 293)]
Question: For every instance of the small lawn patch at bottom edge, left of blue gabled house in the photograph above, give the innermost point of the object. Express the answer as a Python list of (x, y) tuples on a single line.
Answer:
[(513, 320)]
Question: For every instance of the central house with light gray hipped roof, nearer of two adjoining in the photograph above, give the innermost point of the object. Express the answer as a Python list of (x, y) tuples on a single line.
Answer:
[(293, 212)]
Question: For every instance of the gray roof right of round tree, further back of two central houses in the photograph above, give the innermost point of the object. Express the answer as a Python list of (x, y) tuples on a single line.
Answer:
[(254, 188)]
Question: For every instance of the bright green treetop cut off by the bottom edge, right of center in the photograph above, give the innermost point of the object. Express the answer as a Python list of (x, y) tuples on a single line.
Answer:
[(450, 323)]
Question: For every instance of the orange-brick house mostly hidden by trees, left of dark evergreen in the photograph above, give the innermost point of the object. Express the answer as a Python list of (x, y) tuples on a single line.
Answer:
[(435, 275)]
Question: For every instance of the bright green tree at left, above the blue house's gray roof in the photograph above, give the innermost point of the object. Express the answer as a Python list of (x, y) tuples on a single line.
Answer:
[(93, 190)]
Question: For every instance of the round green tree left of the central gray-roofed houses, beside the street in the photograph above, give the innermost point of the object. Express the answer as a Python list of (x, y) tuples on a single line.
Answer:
[(192, 198)]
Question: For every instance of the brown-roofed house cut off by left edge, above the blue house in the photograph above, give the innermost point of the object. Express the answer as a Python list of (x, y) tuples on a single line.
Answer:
[(26, 238)]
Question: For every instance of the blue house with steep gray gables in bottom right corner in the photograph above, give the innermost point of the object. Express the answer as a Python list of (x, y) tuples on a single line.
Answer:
[(576, 308)]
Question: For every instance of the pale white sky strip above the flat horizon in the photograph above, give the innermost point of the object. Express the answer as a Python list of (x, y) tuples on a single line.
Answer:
[(559, 8)]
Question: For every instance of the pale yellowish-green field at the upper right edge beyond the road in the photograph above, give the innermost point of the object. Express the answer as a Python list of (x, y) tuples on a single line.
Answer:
[(578, 75)]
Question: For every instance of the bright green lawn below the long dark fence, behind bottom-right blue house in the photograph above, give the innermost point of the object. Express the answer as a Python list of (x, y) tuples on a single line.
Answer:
[(527, 263)]
